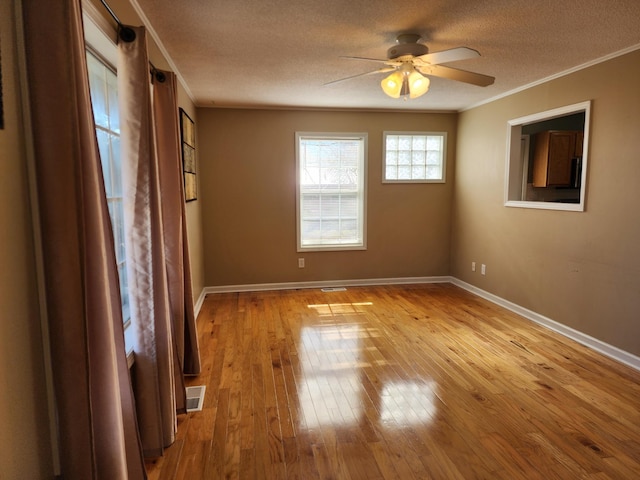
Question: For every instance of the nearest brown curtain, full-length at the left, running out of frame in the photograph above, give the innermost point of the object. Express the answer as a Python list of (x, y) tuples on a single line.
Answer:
[(96, 414)]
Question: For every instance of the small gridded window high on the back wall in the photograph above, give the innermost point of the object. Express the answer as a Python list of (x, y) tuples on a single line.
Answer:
[(414, 157)]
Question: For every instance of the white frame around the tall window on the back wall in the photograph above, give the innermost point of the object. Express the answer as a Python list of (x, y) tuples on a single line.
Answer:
[(362, 190)]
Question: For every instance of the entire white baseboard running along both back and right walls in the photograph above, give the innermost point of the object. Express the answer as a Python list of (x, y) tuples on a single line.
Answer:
[(599, 346)]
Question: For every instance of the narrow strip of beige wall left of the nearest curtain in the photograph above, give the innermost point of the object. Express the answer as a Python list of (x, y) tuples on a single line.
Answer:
[(25, 451)]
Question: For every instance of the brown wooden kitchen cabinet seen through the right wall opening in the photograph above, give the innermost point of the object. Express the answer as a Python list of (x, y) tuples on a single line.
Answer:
[(553, 157)]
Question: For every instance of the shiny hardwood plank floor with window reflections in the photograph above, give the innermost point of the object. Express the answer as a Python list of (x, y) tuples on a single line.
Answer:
[(399, 382)]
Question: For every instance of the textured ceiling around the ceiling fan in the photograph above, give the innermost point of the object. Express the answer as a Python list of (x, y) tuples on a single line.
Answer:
[(279, 53)]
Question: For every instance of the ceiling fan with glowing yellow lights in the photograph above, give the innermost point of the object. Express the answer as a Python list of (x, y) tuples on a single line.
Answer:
[(408, 63)]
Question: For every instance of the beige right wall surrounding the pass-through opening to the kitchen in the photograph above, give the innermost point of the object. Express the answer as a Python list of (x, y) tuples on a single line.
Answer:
[(579, 269)]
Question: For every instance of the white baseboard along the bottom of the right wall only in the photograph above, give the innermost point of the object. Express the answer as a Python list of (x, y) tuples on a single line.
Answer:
[(599, 346)]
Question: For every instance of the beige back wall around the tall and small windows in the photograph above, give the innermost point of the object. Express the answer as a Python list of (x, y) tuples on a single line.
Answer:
[(247, 169)]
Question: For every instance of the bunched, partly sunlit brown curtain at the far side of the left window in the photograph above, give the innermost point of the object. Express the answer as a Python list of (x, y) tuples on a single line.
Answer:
[(155, 245)]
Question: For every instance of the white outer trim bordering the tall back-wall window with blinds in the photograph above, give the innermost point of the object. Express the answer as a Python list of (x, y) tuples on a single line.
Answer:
[(363, 187)]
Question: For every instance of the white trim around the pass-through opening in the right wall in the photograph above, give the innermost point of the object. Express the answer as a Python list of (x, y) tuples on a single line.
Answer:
[(514, 159)]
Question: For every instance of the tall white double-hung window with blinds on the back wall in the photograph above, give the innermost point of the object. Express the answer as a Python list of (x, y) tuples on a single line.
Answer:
[(331, 179)]
